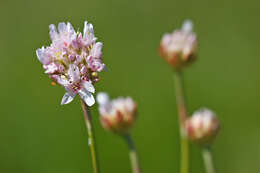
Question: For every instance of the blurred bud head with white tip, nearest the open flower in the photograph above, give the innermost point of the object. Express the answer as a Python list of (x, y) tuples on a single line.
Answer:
[(117, 115)]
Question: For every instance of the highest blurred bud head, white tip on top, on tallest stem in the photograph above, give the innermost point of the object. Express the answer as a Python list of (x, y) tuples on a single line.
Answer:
[(179, 48)]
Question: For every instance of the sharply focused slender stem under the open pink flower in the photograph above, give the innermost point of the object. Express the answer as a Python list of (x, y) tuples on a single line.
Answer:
[(91, 137)]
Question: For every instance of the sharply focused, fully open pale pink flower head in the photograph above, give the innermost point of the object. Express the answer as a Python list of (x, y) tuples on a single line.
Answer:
[(73, 60)]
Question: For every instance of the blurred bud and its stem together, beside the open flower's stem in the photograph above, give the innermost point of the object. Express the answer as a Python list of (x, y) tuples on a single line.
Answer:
[(118, 116)]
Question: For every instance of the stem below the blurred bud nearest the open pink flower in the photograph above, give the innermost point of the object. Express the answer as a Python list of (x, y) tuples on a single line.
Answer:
[(133, 154)]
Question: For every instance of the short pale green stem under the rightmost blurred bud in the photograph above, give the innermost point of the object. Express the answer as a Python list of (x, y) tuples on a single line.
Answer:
[(208, 161)]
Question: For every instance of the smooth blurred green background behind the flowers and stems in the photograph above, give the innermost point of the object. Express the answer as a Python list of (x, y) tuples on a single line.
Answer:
[(39, 135)]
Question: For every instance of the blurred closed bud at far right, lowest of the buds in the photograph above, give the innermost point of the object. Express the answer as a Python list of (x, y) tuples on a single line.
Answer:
[(202, 127)]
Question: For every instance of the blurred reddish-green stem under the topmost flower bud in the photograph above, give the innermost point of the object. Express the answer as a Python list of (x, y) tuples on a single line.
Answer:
[(180, 98)]
